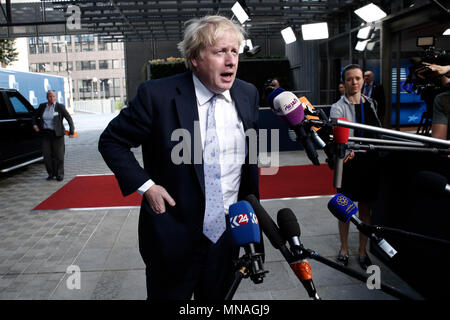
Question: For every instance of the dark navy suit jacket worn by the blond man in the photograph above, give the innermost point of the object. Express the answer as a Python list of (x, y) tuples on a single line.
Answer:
[(160, 107)]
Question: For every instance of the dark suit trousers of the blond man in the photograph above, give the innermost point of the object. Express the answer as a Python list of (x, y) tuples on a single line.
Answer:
[(208, 275)]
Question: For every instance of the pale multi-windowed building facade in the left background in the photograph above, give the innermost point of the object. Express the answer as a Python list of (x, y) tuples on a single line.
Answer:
[(96, 69)]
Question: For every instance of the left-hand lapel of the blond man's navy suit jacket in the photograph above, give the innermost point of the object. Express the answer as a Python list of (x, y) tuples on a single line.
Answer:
[(186, 107)]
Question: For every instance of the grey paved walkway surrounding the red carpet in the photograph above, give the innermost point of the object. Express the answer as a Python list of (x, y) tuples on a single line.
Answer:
[(37, 248)]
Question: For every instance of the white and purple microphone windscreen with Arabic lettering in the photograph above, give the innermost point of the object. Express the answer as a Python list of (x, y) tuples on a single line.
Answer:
[(288, 107)]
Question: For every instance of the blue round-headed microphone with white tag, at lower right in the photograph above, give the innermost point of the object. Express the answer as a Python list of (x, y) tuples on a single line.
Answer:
[(344, 209)]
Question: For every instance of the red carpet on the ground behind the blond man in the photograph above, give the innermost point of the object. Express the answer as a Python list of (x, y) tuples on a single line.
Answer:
[(103, 190)]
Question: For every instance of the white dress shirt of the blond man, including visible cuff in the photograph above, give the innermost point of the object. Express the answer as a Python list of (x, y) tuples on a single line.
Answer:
[(230, 132)]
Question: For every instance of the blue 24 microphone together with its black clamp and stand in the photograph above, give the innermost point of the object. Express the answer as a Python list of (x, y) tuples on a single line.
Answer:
[(246, 233)]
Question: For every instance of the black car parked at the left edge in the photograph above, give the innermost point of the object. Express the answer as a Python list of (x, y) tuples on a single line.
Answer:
[(20, 145)]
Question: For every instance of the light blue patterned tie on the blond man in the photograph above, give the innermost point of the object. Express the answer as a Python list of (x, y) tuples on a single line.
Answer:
[(214, 220)]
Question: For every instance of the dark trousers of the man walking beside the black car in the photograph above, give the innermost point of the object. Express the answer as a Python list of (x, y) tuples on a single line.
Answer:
[(53, 150)]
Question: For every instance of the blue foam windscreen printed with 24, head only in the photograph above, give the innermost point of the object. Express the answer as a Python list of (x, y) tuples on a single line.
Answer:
[(244, 224)]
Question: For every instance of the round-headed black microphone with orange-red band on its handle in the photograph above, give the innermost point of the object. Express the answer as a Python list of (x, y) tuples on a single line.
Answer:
[(290, 230)]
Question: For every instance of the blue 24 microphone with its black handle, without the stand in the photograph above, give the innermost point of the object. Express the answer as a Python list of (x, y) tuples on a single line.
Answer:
[(246, 233)]
